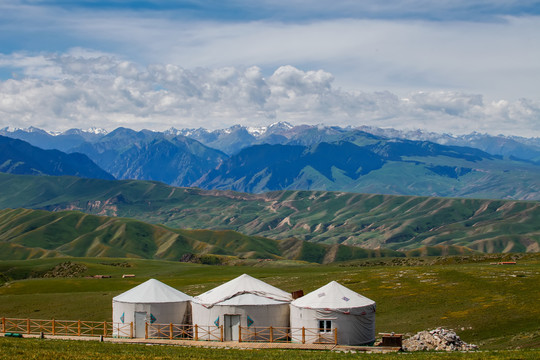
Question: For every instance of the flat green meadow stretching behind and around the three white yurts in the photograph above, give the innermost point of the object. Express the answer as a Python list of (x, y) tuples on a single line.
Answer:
[(493, 306)]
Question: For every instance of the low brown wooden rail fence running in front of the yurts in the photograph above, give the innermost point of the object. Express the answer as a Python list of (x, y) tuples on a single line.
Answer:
[(167, 331)]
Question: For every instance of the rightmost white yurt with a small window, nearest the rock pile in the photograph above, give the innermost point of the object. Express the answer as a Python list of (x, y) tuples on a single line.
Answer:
[(334, 306)]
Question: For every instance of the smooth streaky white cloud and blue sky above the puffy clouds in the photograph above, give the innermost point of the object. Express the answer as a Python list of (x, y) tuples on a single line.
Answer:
[(485, 47)]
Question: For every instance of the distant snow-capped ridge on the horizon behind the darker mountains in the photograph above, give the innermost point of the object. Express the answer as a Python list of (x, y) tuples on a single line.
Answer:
[(233, 139)]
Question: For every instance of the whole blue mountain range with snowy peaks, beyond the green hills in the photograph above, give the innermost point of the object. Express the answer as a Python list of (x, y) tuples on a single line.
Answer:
[(286, 157)]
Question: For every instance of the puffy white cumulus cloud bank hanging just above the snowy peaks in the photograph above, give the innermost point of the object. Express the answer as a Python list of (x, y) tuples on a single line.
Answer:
[(82, 88)]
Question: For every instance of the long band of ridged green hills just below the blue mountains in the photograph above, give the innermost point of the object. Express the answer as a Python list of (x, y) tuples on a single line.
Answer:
[(423, 225)]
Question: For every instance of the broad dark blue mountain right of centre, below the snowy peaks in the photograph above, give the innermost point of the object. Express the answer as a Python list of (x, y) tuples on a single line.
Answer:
[(366, 164)]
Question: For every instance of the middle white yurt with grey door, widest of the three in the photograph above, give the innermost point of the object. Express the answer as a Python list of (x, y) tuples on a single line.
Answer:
[(243, 301)]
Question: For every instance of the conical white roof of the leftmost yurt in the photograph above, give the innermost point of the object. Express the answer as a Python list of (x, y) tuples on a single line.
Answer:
[(152, 291)]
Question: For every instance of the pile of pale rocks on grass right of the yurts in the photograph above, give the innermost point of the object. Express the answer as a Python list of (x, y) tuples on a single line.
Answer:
[(439, 340)]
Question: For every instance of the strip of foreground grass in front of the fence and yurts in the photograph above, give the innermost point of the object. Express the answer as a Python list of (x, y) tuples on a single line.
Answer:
[(61, 349)]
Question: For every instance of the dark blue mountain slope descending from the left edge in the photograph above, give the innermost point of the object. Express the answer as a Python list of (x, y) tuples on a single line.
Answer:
[(19, 157)]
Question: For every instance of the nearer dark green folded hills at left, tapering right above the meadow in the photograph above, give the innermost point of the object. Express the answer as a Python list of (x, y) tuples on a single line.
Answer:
[(27, 234)]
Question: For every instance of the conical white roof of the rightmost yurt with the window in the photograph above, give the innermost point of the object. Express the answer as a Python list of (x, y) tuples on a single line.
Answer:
[(332, 296)]
